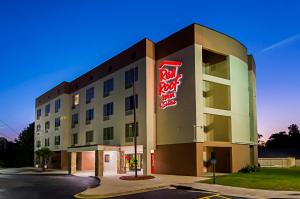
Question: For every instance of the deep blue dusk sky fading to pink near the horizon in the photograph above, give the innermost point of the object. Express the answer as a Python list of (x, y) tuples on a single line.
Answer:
[(43, 43)]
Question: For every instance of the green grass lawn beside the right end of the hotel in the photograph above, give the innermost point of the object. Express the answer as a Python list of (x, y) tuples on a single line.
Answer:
[(266, 178)]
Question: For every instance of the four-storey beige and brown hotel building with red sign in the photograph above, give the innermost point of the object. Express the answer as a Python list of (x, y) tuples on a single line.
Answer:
[(195, 93)]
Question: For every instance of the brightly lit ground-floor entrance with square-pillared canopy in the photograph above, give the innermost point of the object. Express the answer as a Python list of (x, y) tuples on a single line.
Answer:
[(106, 160)]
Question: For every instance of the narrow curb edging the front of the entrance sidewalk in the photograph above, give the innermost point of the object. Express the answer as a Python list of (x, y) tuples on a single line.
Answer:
[(84, 196)]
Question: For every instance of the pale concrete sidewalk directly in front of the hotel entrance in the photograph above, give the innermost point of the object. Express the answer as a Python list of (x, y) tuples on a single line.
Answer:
[(112, 186)]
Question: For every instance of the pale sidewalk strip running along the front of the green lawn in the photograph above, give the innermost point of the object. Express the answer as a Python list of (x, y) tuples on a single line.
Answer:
[(243, 192)]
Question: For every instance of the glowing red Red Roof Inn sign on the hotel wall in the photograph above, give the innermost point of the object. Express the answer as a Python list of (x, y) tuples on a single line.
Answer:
[(169, 80)]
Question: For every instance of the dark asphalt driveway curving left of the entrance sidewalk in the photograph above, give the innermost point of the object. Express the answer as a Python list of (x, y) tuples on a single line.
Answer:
[(43, 186)]
